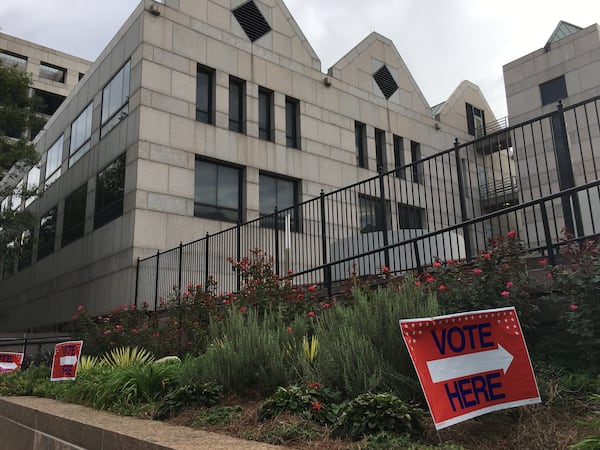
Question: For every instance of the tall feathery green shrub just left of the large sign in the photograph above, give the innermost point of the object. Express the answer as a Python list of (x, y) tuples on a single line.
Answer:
[(361, 347)]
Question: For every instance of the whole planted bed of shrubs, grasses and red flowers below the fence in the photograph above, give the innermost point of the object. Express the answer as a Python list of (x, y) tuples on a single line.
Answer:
[(277, 363)]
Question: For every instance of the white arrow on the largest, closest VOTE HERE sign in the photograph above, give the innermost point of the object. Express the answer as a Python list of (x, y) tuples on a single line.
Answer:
[(464, 365)]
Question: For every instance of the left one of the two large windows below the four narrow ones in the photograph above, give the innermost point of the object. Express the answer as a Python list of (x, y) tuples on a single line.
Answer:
[(215, 210)]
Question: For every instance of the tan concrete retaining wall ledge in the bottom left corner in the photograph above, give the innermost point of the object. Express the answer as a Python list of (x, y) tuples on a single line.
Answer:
[(31, 423)]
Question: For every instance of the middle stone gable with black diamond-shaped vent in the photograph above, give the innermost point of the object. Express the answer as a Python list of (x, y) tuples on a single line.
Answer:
[(375, 66)]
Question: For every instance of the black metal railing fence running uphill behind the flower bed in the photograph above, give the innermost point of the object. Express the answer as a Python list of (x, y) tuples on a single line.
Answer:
[(537, 178)]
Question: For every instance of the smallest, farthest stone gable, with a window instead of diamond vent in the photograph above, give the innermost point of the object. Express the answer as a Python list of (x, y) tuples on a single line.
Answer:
[(452, 112)]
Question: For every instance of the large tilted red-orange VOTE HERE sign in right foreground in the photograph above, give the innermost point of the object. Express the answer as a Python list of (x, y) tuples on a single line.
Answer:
[(471, 364)]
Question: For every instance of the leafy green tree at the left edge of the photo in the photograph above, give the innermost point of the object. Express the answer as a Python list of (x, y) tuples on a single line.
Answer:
[(17, 117)]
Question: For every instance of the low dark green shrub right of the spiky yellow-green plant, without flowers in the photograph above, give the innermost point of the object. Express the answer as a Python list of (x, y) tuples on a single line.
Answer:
[(202, 394)]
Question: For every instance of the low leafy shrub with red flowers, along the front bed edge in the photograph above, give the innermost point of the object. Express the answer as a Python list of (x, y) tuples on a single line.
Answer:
[(313, 402)]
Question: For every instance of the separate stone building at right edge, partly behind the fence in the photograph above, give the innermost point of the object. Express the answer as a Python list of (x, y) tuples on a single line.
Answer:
[(566, 70)]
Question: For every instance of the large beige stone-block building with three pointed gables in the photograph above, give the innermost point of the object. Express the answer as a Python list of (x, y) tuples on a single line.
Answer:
[(200, 114)]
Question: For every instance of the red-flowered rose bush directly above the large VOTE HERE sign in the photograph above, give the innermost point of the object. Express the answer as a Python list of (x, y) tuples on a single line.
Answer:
[(497, 277)]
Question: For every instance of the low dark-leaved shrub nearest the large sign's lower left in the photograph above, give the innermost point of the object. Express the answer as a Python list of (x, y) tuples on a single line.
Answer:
[(372, 413)]
